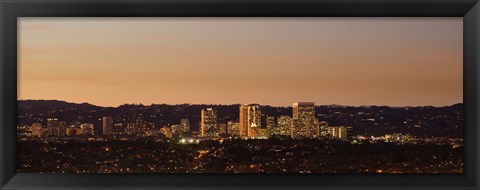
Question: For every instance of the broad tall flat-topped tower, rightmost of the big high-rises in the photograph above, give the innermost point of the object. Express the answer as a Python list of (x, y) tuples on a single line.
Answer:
[(303, 120)]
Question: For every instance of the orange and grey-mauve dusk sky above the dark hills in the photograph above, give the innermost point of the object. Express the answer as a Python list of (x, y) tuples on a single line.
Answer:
[(269, 61)]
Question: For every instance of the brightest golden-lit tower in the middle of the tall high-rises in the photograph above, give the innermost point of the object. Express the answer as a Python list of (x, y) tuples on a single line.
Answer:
[(250, 120)]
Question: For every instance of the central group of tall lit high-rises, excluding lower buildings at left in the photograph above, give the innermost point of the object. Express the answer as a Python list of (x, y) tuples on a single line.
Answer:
[(253, 124)]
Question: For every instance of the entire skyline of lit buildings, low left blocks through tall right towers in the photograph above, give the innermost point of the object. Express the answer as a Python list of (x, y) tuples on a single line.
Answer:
[(251, 123)]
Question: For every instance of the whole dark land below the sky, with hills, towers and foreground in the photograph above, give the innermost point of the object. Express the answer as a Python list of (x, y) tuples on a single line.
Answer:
[(61, 137)]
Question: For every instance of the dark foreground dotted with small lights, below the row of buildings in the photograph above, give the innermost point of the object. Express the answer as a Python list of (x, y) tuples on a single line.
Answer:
[(236, 156)]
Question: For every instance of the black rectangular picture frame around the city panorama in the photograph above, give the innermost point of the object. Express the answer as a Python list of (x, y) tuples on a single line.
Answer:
[(10, 10)]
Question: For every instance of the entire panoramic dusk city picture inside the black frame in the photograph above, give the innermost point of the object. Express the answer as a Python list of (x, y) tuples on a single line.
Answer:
[(323, 95)]
